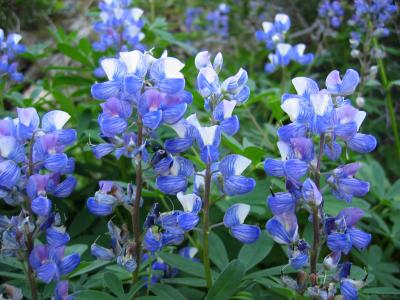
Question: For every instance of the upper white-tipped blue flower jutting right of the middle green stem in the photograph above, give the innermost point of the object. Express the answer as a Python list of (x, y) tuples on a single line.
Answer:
[(233, 183)]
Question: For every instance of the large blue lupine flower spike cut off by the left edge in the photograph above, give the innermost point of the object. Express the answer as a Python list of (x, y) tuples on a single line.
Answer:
[(33, 166)]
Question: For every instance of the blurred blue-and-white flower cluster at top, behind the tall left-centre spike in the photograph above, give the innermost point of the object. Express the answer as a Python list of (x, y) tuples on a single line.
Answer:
[(120, 26)]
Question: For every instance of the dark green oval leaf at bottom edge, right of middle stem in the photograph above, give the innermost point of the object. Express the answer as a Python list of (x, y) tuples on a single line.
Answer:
[(228, 282)]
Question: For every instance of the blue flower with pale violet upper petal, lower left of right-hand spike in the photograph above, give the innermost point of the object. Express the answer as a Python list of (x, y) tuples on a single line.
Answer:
[(283, 228)]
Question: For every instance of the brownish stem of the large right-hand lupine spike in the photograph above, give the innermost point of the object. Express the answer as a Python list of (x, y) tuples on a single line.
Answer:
[(315, 215)]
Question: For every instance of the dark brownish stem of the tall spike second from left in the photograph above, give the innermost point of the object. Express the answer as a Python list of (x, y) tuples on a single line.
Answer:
[(136, 204)]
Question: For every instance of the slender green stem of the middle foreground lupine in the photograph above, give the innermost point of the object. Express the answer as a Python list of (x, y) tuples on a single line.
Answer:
[(206, 231)]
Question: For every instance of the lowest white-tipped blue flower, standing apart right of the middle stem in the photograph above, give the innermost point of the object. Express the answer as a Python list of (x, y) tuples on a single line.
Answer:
[(234, 218)]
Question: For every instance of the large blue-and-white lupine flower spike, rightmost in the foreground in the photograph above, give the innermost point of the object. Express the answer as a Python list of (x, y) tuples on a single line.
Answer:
[(328, 116)]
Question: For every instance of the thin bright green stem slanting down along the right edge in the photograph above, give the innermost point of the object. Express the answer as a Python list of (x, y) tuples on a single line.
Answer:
[(389, 102)]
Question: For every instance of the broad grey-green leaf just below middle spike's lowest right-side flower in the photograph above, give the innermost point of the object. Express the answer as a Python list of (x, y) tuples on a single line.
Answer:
[(252, 254)]
